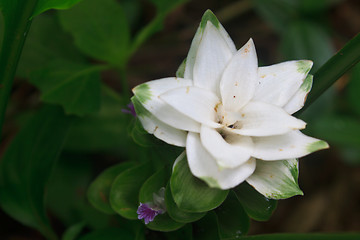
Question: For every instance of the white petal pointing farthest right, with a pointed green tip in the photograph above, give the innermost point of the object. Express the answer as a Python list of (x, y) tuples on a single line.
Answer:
[(291, 145)]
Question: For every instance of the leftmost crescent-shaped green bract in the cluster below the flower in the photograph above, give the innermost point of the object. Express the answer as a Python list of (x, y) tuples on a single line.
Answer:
[(99, 190)]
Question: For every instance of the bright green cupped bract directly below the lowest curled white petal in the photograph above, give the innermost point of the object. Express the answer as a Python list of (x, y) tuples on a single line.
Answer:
[(190, 193)]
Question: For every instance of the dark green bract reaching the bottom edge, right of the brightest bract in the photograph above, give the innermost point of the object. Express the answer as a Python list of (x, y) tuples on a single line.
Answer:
[(233, 222)]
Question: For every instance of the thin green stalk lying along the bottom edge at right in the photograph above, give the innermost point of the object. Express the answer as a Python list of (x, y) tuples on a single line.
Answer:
[(304, 236)]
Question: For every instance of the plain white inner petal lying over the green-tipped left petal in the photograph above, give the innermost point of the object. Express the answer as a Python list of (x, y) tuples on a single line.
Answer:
[(196, 103)]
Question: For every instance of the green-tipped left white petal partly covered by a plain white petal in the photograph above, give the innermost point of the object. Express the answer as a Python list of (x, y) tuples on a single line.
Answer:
[(148, 94)]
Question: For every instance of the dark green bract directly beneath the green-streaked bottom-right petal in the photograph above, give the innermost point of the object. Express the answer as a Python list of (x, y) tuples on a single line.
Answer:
[(257, 206)]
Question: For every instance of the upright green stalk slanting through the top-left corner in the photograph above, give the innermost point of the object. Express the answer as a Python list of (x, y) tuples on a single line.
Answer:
[(17, 24)]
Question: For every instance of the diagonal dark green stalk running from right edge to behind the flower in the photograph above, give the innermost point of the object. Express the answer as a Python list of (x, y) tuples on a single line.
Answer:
[(333, 69)]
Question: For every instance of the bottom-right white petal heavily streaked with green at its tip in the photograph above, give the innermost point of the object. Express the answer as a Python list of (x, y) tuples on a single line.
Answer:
[(276, 179)]
